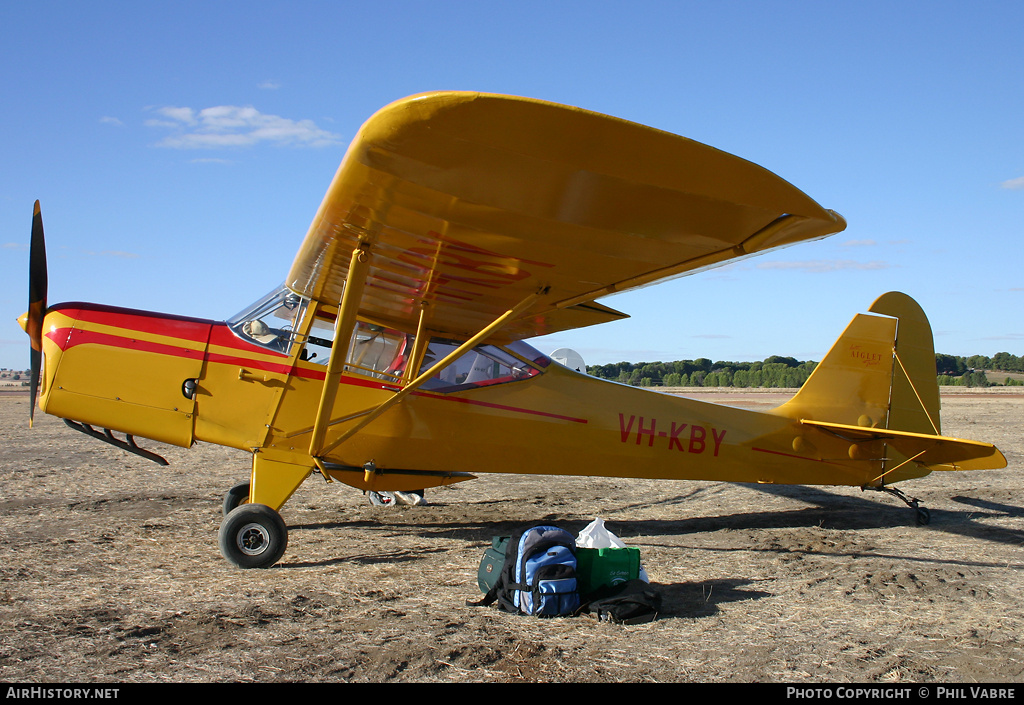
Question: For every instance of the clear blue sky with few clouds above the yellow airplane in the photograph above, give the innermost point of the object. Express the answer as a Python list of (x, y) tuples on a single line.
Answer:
[(181, 150)]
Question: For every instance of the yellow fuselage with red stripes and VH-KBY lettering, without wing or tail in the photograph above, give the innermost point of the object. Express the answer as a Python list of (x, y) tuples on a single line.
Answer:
[(180, 381)]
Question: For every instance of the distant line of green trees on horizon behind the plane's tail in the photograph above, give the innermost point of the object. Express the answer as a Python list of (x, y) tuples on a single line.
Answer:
[(779, 371)]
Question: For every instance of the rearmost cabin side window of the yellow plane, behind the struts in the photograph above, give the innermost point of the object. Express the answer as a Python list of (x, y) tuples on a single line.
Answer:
[(483, 366)]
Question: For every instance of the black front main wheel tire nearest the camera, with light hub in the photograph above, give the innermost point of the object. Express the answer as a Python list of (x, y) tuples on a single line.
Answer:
[(253, 536)]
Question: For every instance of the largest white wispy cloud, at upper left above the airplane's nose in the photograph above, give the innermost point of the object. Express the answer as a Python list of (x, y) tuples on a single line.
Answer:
[(235, 127)]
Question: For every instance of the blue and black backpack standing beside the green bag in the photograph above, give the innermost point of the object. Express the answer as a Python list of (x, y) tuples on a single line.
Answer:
[(538, 576)]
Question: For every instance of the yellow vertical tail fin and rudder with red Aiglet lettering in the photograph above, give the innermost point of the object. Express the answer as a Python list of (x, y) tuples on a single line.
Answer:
[(880, 374)]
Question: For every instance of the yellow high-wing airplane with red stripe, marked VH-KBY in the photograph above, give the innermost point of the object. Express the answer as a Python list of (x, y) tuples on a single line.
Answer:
[(393, 359)]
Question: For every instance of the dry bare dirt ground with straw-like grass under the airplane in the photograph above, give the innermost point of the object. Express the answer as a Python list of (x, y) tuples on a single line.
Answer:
[(110, 573)]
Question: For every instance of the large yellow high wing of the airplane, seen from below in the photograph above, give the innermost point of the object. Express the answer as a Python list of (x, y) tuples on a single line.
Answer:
[(468, 203)]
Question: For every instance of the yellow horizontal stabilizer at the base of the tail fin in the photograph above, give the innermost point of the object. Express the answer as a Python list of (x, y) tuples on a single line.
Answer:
[(936, 452)]
